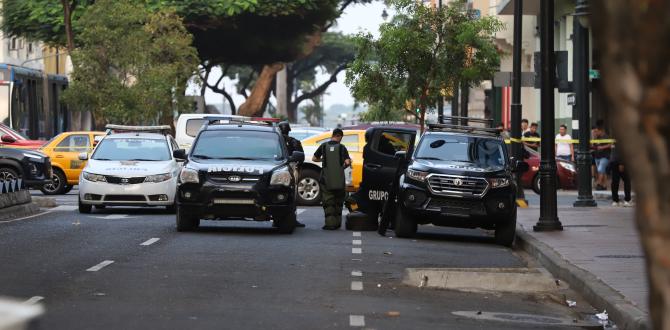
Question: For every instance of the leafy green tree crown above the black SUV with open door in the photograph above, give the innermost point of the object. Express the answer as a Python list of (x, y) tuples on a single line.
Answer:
[(421, 55)]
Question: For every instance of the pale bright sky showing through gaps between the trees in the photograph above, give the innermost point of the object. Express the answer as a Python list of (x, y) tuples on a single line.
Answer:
[(356, 18)]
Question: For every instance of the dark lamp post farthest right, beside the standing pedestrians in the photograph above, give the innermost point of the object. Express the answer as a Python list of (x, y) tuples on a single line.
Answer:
[(581, 83)]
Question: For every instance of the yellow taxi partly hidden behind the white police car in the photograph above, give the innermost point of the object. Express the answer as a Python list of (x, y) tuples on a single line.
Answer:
[(64, 150)]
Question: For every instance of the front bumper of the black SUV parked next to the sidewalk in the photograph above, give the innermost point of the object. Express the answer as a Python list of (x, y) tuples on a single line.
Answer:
[(495, 207)]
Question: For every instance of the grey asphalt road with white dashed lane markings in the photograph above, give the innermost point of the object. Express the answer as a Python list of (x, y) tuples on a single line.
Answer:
[(94, 272)]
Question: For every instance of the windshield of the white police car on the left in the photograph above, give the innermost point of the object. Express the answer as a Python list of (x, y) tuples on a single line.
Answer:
[(132, 149)]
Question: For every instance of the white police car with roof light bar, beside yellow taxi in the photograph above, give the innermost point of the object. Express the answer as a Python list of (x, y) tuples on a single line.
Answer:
[(131, 166)]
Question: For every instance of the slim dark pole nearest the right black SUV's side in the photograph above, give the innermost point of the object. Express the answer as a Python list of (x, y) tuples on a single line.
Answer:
[(516, 107)]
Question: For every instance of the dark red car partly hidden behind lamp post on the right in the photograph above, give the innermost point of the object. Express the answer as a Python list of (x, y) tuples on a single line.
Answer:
[(566, 170)]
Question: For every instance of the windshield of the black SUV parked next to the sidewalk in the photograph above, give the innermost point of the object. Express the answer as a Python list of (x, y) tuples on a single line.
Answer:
[(474, 150)]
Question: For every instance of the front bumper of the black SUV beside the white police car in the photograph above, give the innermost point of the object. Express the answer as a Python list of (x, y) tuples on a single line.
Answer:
[(248, 201)]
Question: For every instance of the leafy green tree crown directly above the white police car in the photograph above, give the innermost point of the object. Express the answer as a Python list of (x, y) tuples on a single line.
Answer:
[(132, 65)]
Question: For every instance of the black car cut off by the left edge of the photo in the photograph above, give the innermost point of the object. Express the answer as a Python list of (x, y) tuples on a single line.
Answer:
[(33, 167)]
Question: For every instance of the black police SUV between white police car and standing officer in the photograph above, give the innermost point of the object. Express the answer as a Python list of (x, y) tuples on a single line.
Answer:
[(238, 169)]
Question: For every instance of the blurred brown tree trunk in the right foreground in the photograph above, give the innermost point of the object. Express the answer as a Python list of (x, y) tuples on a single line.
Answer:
[(636, 78)]
